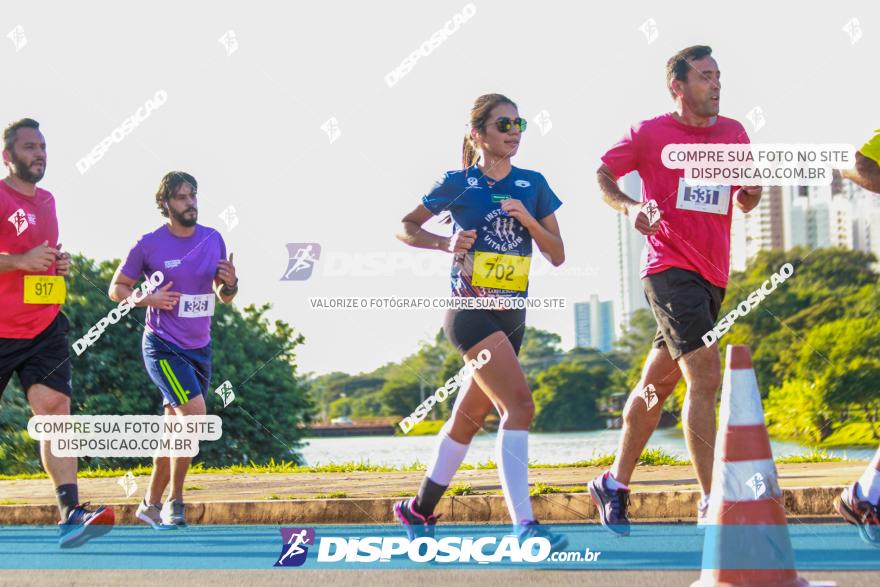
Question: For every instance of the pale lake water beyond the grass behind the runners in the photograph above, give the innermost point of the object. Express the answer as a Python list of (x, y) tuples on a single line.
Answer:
[(549, 448)]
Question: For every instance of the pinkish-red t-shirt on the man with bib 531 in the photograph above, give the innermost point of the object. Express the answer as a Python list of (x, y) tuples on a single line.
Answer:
[(688, 239)]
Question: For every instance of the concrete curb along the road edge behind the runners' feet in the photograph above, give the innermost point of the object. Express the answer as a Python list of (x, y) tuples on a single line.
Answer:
[(665, 506)]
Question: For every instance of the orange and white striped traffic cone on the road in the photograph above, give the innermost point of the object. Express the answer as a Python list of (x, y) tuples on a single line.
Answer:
[(747, 541)]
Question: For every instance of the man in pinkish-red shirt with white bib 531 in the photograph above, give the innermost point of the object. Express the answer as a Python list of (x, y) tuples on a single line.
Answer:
[(685, 271)]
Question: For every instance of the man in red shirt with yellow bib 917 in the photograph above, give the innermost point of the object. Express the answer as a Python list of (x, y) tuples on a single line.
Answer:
[(33, 331)]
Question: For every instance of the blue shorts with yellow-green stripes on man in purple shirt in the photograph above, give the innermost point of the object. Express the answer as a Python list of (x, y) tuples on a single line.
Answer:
[(180, 374)]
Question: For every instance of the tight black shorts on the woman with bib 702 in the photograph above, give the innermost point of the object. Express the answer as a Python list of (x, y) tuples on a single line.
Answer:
[(465, 328)]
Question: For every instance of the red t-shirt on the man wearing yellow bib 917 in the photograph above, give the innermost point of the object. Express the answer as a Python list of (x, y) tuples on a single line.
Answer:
[(25, 222)]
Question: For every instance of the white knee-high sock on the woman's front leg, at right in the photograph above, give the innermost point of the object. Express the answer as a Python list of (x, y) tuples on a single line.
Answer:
[(512, 457)]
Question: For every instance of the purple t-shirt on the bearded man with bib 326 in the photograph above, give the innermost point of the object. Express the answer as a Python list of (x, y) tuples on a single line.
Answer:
[(190, 263)]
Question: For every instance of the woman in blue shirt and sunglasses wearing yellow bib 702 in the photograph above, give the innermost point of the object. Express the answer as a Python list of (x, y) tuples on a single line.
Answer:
[(497, 211)]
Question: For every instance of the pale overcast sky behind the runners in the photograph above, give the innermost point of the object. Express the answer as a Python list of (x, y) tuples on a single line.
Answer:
[(245, 117)]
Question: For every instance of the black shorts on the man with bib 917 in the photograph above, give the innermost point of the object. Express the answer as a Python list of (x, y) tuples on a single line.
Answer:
[(43, 359)]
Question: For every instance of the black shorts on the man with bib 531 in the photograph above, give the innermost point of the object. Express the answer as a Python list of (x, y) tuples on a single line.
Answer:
[(685, 307)]
